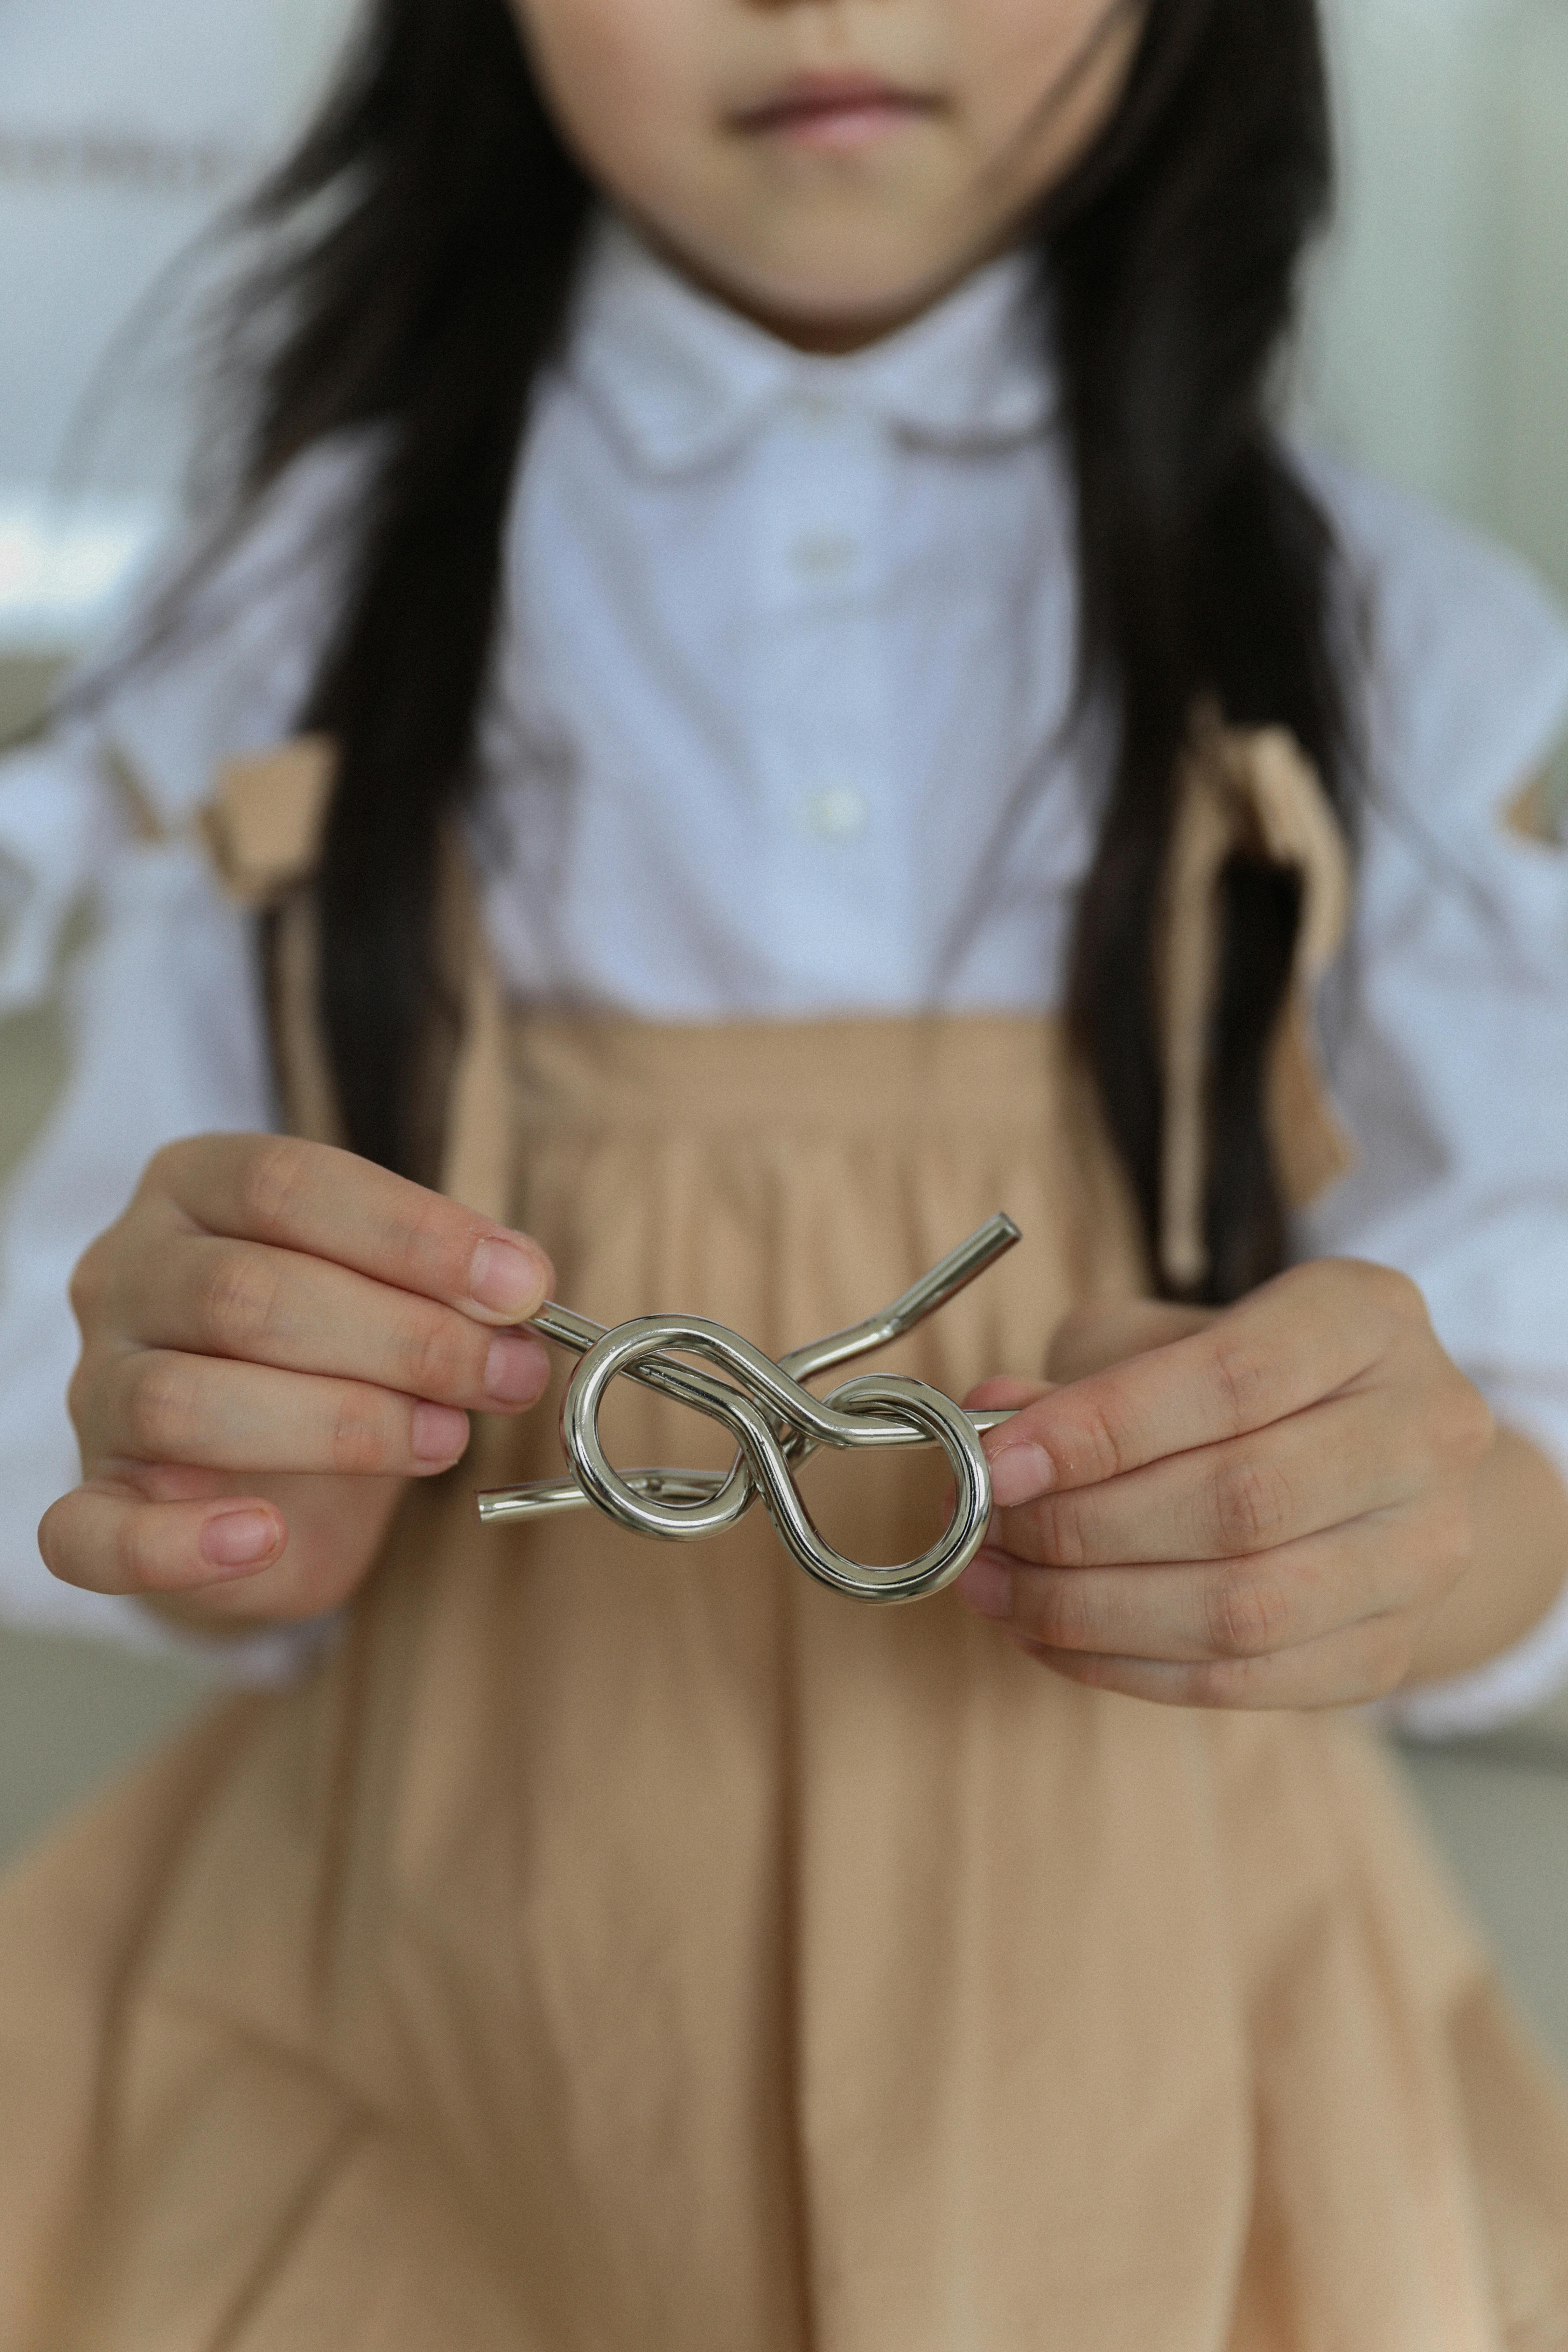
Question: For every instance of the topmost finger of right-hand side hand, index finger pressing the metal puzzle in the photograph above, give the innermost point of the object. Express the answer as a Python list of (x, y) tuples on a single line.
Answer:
[(1299, 1339)]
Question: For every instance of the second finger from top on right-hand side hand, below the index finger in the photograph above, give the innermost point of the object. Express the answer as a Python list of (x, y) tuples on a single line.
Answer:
[(1299, 1478)]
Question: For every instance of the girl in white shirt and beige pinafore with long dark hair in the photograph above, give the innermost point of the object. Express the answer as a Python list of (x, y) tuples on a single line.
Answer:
[(819, 707)]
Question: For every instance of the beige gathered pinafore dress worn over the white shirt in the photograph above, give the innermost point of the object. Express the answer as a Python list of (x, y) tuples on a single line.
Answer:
[(638, 1949)]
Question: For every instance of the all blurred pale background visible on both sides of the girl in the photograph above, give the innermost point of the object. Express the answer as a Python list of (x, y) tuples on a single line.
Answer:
[(1435, 349)]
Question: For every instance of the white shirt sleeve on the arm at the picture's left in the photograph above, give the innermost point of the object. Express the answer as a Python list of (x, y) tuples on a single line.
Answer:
[(163, 1005)]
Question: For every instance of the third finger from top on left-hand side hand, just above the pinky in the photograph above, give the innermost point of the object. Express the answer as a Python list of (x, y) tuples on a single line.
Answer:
[(166, 1408)]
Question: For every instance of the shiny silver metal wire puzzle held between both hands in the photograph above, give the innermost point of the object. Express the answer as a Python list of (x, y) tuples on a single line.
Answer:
[(777, 1426)]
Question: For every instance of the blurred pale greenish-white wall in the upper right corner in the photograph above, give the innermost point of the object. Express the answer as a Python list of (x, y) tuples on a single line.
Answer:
[(1440, 321)]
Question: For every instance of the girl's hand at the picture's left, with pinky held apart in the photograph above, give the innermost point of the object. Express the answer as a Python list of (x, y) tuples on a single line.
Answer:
[(274, 1339)]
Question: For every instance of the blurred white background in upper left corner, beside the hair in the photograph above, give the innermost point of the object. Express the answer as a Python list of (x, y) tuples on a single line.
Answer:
[(126, 131)]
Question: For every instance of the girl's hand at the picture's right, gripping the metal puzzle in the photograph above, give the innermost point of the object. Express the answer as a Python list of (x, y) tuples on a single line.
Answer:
[(1254, 1509)]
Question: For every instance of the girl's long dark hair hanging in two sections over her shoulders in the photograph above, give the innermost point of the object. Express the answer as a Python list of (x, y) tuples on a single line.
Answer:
[(429, 234)]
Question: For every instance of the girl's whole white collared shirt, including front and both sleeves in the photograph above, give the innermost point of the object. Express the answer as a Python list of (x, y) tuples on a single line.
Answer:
[(784, 728)]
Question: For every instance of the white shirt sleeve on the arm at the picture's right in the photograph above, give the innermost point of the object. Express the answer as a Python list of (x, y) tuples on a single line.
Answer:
[(1447, 1029)]
